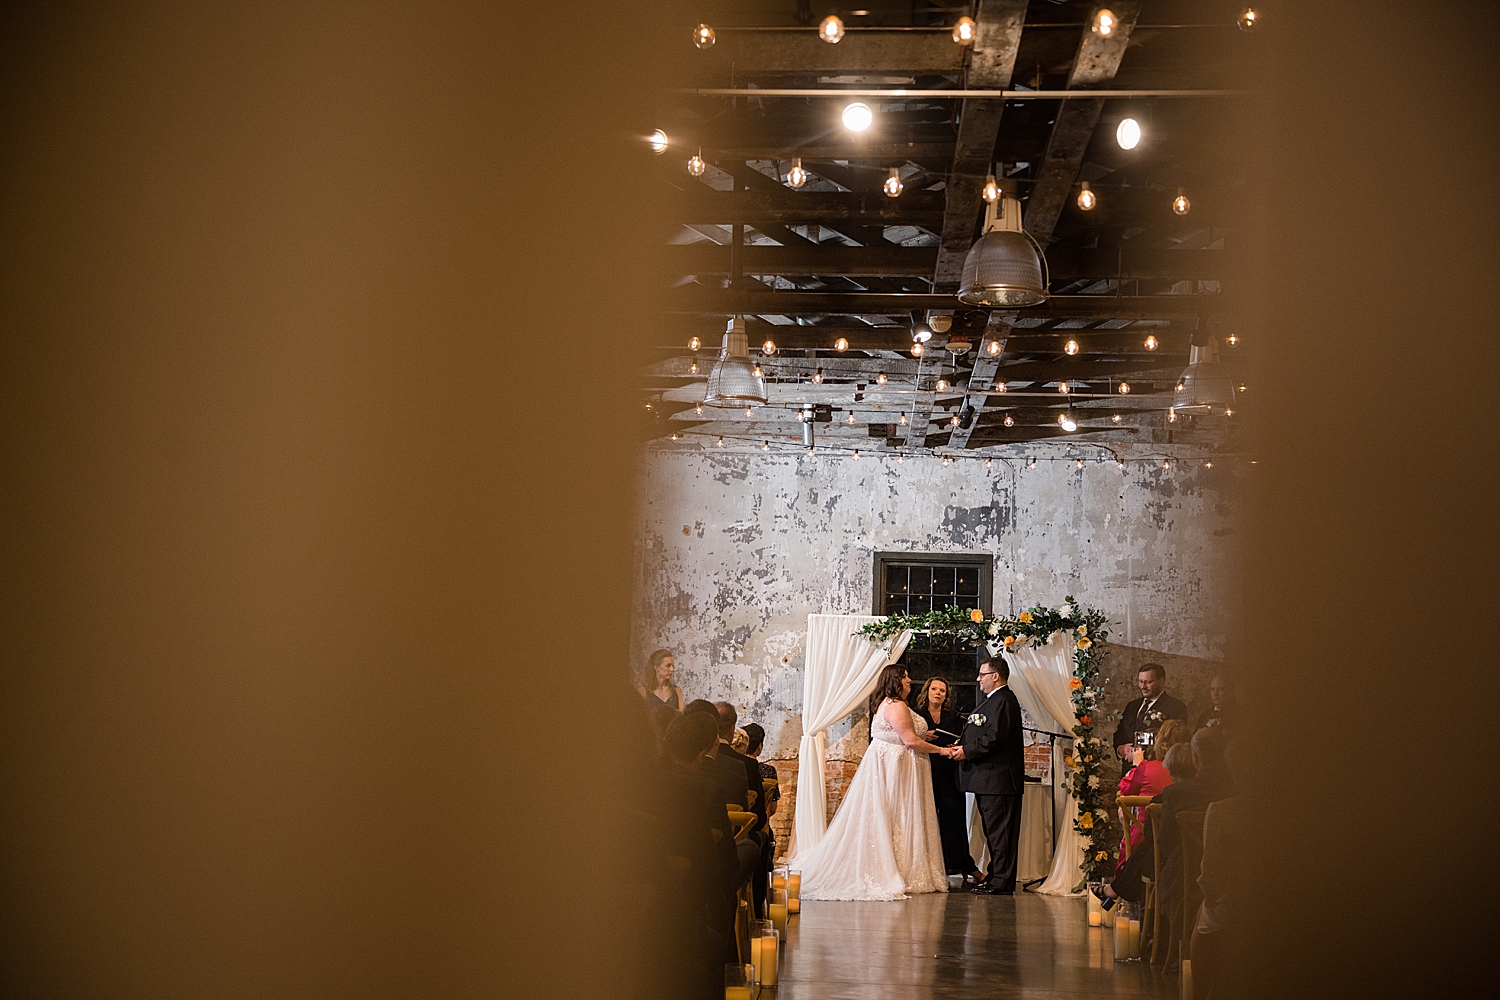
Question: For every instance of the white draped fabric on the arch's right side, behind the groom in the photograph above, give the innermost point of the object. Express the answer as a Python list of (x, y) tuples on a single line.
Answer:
[(1040, 680)]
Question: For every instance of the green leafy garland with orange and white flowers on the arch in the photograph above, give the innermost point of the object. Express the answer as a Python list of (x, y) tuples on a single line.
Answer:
[(1088, 630)]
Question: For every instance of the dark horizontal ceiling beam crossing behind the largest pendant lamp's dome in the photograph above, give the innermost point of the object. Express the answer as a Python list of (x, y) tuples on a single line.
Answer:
[(800, 256)]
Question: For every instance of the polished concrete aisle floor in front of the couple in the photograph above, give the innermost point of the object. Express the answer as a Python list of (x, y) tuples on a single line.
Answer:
[(958, 945)]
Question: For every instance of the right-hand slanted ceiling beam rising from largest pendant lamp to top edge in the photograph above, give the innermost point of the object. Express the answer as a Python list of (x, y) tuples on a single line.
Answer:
[(1094, 67)]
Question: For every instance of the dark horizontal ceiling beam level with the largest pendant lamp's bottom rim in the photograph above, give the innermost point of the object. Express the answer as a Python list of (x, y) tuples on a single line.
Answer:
[(727, 302)]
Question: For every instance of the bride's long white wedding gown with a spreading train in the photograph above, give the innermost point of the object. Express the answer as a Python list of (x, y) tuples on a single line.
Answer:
[(884, 840)]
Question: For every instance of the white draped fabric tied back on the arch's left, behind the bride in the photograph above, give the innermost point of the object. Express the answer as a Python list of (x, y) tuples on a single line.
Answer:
[(841, 672)]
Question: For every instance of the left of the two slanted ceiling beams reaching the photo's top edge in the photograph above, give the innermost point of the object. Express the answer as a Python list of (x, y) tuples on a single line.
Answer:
[(991, 67)]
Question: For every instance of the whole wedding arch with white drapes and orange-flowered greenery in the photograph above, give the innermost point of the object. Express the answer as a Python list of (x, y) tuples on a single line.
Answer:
[(1055, 672)]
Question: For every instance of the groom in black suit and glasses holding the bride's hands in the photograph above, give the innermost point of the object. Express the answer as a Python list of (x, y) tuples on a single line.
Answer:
[(997, 765)]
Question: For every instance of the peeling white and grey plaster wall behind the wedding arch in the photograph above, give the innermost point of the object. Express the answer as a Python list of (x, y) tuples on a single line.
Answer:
[(737, 548)]
